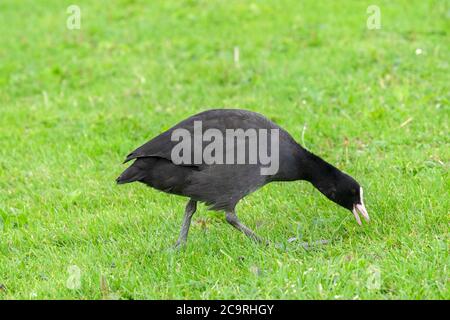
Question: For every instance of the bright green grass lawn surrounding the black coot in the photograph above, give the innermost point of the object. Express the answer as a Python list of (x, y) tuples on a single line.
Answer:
[(74, 103)]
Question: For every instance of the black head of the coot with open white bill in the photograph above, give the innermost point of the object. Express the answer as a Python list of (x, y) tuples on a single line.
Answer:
[(346, 192)]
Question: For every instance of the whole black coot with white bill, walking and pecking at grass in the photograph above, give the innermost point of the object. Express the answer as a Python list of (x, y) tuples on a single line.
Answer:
[(221, 184)]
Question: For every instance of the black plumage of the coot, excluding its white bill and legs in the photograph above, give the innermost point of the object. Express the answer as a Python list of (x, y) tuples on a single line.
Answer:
[(221, 186)]
